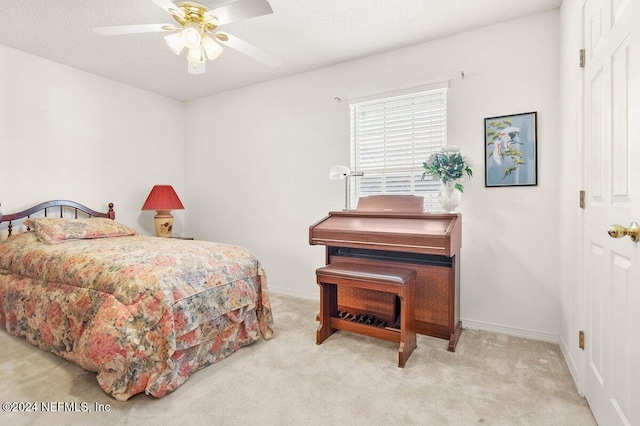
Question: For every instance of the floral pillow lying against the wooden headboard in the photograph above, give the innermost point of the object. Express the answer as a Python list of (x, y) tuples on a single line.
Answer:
[(58, 230)]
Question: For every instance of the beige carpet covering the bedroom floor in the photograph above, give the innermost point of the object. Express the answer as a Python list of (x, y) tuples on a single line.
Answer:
[(491, 379)]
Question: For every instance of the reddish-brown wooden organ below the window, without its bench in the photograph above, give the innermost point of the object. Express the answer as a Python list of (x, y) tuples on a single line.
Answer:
[(393, 231)]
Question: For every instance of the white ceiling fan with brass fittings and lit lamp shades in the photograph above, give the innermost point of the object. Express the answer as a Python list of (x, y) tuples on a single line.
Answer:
[(196, 30)]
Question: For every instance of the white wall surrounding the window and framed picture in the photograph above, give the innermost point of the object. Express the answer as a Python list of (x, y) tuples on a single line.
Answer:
[(257, 162)]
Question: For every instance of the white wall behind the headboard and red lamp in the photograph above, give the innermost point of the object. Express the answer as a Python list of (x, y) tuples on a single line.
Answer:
[(67, 134)]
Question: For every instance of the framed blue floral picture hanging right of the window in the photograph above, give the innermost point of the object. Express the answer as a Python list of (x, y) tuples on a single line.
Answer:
[(511, 150)]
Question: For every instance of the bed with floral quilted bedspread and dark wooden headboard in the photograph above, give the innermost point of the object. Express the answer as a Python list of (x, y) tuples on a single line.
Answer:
[(142, 312)]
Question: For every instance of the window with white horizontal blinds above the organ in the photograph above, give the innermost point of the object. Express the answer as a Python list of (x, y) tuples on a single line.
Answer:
[(391, 136)]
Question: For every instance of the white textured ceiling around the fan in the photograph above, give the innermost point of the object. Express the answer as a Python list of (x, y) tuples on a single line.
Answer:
[(306, 34)]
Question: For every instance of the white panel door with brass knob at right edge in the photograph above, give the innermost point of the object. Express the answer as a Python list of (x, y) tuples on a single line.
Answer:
[(611, 172)]
